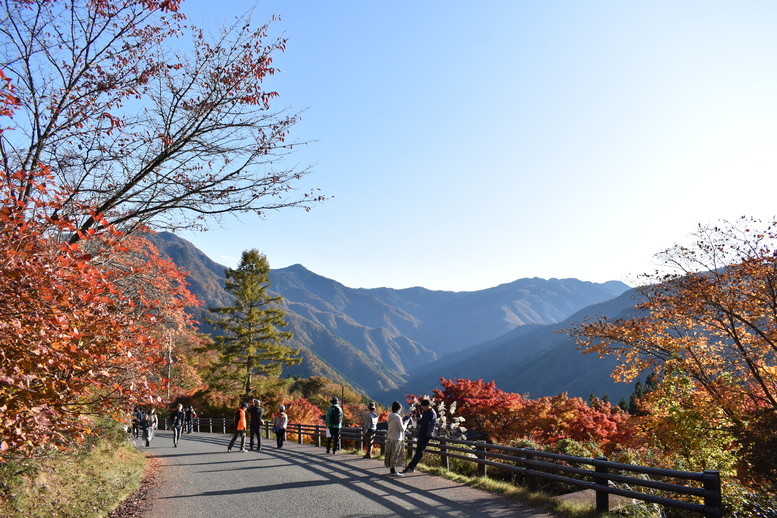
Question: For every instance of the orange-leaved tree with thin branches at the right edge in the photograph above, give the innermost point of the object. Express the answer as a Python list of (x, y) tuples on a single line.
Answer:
[(710, 315)]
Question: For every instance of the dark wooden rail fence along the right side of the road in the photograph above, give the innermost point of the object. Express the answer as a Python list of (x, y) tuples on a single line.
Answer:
[(697, 492)]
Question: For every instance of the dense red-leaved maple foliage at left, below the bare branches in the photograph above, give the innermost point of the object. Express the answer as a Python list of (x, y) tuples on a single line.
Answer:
[(79, 321)]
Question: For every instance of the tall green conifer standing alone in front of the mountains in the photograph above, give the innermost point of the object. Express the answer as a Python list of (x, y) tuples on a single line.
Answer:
[(251, 342)]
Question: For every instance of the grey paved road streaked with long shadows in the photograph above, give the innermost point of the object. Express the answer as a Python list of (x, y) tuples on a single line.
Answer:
[(200, 479)]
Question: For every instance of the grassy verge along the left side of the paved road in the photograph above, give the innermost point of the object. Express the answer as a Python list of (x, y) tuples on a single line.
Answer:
[(90, 483)]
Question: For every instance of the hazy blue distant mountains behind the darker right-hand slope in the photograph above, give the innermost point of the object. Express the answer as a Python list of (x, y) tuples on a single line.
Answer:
[(377, 339)]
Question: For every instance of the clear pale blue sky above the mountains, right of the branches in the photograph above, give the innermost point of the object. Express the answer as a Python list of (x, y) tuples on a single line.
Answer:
[(467, 145)]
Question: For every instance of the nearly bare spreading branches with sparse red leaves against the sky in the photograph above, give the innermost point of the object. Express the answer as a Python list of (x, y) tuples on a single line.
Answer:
[(142, 118)]
